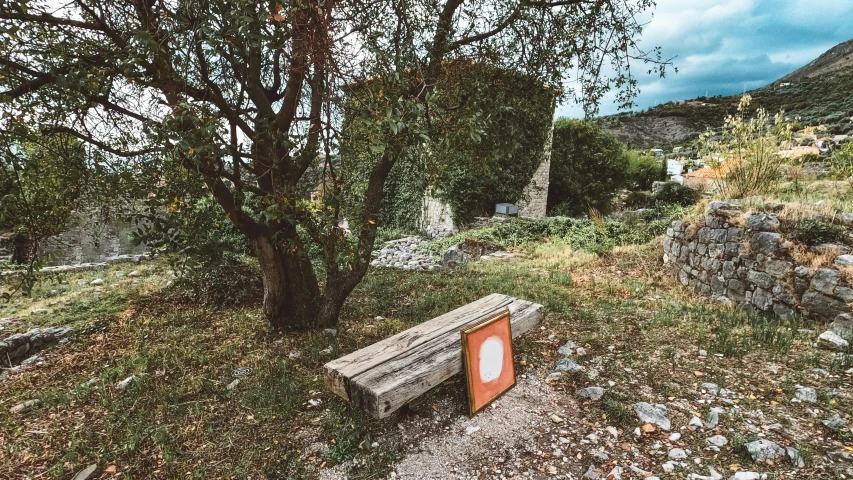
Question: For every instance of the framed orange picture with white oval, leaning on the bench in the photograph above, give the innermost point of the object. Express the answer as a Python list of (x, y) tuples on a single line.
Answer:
[(487, 352)]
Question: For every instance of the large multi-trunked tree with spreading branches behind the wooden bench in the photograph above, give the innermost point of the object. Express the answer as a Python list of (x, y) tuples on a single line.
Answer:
[(246, 95)]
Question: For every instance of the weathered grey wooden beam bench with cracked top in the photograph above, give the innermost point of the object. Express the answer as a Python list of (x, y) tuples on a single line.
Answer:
[(385, 376)]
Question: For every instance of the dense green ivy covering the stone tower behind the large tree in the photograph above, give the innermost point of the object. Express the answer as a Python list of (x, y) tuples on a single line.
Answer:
[(493, 133)]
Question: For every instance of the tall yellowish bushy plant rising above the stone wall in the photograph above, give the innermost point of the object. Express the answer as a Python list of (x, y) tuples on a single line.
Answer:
[(745, 154)]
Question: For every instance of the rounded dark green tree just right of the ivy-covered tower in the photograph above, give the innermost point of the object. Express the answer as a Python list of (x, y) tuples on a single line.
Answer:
[(588, 166)]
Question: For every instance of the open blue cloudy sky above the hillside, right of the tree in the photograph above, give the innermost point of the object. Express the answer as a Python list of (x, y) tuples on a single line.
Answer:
[(725, 47)]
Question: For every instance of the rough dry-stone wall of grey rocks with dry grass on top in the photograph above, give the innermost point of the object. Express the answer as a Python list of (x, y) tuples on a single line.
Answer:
[(749, 266)]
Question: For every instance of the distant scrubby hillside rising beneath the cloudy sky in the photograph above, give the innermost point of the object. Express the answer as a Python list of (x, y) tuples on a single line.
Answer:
[(820, 93)]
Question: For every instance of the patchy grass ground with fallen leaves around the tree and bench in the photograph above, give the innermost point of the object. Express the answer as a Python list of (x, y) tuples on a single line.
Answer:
[(179, 419)]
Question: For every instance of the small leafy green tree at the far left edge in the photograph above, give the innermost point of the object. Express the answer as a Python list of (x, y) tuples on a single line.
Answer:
[(41, 181)]
